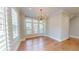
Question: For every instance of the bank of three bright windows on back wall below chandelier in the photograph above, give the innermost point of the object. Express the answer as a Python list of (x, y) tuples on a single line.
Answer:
[(34, 26)]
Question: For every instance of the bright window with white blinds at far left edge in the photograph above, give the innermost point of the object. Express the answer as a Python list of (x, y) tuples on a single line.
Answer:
[(3, 40)]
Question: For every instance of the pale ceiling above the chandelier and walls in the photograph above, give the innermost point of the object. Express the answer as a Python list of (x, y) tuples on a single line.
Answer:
[(48, 11)]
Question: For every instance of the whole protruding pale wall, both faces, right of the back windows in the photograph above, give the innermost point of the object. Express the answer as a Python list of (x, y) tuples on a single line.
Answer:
[(58, 26)]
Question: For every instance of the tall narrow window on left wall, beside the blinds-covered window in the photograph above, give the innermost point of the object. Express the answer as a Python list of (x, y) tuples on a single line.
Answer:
[(15, 24)]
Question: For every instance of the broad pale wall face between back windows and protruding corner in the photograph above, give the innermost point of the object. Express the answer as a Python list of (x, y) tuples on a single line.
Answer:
[(54, 26)]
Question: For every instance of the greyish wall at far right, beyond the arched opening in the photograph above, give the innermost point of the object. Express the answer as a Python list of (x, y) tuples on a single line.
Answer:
[(74, 27)]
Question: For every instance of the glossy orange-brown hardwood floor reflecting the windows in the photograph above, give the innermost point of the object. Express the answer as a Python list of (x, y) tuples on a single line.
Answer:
[(48, 44)]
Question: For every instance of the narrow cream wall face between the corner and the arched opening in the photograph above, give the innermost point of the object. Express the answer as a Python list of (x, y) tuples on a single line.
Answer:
[(65, 26)]
